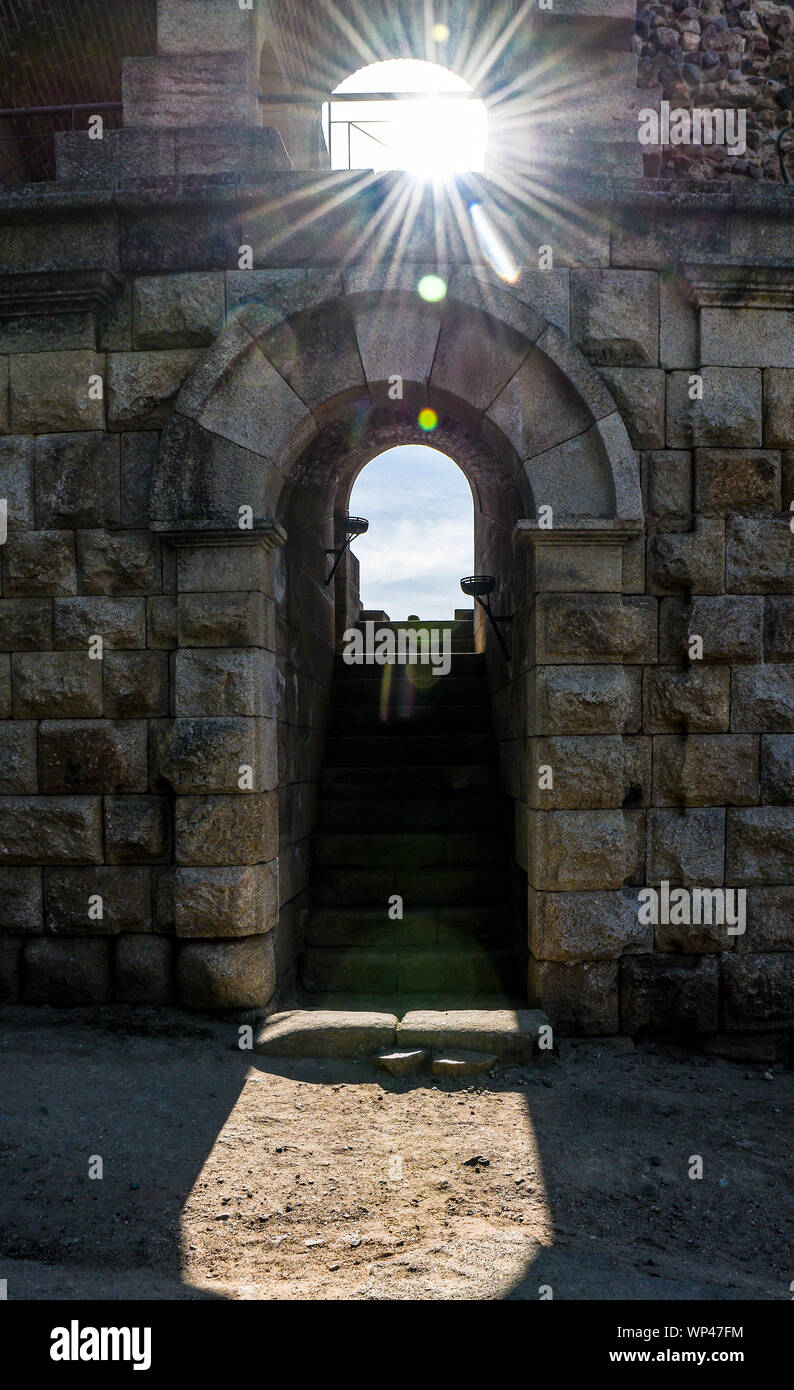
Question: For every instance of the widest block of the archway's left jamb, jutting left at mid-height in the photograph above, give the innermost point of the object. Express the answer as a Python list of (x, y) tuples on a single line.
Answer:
[(206, 755)]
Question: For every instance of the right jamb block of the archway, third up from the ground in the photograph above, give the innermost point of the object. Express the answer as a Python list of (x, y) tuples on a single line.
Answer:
[(581, 850)]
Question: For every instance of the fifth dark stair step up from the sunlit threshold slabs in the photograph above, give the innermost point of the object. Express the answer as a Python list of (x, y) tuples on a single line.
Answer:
[(387, 815)]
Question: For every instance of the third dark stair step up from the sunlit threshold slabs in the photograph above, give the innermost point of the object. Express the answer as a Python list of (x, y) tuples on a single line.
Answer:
[(421, 888)]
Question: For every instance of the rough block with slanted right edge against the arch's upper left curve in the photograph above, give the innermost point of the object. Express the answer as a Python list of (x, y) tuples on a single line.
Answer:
[(144, 386)]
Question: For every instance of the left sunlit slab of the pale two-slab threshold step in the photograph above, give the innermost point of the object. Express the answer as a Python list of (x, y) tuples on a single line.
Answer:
[(327, 1033)]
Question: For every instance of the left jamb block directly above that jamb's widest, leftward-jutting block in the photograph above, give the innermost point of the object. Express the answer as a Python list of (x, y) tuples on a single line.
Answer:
[(226, 682)]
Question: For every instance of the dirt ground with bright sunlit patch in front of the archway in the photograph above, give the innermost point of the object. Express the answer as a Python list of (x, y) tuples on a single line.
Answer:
[(237, 1178)]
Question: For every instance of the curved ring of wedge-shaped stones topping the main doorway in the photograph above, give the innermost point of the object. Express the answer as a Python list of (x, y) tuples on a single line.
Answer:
[(308, 350)]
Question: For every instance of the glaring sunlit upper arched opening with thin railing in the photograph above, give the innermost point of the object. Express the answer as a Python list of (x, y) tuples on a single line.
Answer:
[(440, 131)]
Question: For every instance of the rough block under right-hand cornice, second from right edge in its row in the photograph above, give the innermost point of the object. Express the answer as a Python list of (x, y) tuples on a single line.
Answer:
[(729, 415)]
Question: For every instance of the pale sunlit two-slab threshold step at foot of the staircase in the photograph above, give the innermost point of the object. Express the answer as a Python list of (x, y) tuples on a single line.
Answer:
[(510, 1035)]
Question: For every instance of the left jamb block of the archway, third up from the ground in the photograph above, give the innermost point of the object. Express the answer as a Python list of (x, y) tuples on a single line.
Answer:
[(227, 831)]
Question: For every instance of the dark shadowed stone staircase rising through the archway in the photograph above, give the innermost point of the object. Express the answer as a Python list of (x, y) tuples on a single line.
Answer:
[(410, 806)]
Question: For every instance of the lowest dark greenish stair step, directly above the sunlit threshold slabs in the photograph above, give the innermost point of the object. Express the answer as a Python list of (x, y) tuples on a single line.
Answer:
[(473, 971)]
